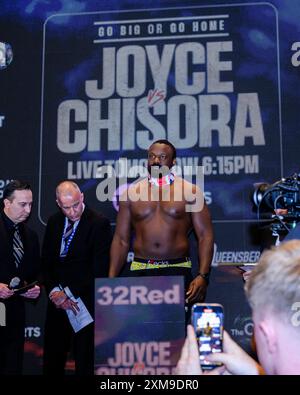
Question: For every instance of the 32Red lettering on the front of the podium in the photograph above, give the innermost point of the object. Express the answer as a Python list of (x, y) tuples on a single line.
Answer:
[(123, 295)]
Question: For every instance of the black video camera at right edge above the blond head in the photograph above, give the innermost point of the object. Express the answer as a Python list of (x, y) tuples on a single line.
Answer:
[(283, 194)]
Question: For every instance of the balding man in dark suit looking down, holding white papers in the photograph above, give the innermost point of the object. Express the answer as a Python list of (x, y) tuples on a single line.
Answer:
[(75, 252)]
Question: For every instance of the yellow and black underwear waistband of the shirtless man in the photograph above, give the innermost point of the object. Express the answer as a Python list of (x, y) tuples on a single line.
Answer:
[(142, 264)]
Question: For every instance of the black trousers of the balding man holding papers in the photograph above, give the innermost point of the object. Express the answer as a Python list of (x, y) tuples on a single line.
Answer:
[(59, 338)]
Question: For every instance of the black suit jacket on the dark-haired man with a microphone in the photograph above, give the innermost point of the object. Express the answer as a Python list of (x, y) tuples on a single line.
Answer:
[(28, 269)]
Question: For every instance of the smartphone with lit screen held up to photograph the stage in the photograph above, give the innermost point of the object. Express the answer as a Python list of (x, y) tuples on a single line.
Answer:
[(208, 321)]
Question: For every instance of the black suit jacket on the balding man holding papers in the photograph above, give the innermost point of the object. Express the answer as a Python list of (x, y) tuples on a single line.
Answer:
[(87, 257)]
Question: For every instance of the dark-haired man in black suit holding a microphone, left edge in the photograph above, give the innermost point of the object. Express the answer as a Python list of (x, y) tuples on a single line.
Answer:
[(19, 259)]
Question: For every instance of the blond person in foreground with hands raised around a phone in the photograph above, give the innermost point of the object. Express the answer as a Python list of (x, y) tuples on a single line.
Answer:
[(273, 291)]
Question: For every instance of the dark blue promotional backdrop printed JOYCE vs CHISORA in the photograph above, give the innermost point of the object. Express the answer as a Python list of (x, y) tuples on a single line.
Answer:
[(87, 86)]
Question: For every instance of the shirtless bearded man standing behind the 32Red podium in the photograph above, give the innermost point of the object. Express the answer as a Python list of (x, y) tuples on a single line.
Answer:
[(162, 209)]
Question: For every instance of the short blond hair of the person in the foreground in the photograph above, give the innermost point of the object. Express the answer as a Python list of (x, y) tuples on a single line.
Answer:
[(274, 284)]
